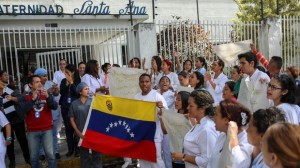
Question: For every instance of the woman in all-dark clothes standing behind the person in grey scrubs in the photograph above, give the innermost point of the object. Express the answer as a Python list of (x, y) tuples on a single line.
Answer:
[(68, 95)]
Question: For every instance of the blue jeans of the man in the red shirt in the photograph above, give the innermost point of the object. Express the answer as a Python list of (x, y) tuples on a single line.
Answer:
[(34, 140)]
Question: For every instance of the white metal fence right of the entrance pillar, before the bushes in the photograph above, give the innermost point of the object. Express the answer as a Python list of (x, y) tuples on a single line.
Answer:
[(191, 39)]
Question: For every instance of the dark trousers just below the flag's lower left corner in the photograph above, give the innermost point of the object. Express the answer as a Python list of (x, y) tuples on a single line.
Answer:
[(87, 160)]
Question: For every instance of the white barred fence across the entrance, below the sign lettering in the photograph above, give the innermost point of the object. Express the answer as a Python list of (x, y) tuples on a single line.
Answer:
[(105, 44)]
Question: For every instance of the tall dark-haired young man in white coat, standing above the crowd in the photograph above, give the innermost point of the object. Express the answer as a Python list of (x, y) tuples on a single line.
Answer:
[(253, 87)]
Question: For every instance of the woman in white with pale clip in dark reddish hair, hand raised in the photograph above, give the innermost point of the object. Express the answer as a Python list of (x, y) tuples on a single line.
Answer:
[(232, 148)]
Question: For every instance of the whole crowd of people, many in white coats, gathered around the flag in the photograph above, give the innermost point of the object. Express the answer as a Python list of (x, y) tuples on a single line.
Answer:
[(249, 118)]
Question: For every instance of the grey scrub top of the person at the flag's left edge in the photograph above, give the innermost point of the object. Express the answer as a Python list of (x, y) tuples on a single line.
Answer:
[(80, 111)]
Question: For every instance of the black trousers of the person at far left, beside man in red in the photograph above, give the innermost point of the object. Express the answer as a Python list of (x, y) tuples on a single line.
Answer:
[(19, 130)]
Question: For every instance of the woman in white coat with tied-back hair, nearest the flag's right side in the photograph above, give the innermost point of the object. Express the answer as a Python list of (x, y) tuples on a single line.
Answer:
[(200, 140)]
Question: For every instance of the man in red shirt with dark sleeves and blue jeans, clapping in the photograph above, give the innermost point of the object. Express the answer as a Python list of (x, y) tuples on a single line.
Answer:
[(38, 105)]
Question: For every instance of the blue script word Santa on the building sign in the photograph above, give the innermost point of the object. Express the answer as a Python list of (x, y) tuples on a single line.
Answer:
[(88, 8)]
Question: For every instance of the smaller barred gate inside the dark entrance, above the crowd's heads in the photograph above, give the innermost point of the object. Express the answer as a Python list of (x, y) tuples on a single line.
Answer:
[(49, 60)]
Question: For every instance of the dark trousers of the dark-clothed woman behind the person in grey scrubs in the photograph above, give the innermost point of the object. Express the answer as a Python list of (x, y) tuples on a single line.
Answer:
[(71, 139)]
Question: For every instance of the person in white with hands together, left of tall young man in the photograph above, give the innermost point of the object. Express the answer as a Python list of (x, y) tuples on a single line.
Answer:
[(215, 83)]
